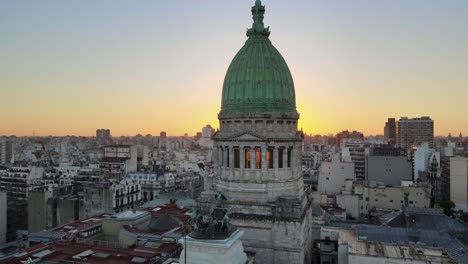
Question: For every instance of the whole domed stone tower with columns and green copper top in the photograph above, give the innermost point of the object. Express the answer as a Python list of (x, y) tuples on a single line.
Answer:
[(257, 152)]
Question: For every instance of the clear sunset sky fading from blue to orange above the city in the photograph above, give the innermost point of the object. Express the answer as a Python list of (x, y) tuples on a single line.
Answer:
[(70, 67)]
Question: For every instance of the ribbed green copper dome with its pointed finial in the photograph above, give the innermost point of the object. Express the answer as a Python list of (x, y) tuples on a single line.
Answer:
[(258, 79)]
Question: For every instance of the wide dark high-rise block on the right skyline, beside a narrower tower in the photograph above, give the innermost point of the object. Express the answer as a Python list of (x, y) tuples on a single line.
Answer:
[(415, 131)]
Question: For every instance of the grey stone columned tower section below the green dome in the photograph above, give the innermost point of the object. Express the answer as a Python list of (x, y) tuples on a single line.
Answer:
[(257, 165)]
